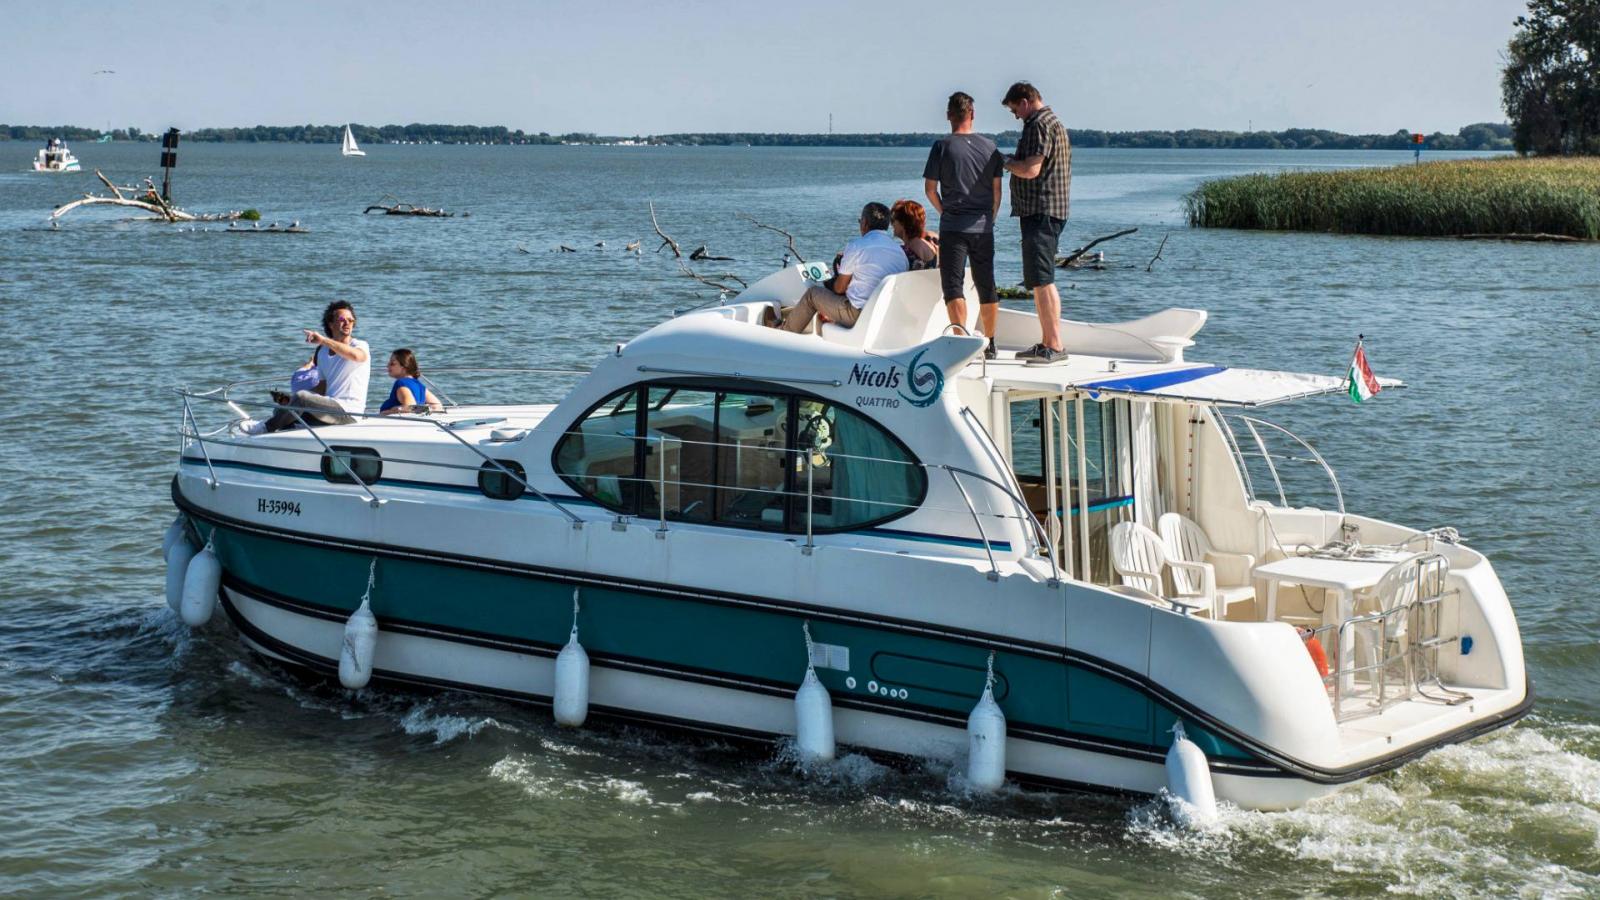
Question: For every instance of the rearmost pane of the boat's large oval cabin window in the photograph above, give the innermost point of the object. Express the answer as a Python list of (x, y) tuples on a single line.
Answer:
[(860, 473)]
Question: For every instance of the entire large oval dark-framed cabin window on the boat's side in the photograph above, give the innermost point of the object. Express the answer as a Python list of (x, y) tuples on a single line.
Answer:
[(718, 456)]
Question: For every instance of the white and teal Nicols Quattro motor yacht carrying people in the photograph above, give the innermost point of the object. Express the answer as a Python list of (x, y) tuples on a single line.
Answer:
[(735, 507)]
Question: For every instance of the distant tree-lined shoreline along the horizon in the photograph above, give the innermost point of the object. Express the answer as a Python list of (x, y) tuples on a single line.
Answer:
[(1479, 137)]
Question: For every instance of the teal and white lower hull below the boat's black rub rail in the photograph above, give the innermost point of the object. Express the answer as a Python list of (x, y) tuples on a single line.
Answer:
[(730, 665)]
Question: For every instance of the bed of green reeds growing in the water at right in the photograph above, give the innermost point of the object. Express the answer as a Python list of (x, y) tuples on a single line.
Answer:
[(1558, 196)]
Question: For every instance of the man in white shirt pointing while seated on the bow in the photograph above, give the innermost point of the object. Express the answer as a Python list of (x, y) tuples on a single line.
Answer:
[(345, 366)]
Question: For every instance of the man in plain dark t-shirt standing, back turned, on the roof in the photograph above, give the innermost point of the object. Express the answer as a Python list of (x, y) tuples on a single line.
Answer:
[(962, 182)]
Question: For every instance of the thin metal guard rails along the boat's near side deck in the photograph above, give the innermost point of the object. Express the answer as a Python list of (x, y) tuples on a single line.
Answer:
[(798, 459)]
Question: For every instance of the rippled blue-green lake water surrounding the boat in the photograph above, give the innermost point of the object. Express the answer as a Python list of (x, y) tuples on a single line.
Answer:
[(142, 758)]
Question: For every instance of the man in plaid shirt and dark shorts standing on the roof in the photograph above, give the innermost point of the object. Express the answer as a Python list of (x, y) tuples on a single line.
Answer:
[(1041, 193)]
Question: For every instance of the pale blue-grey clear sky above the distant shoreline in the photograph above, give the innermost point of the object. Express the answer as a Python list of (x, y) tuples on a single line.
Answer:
[(642, 68)]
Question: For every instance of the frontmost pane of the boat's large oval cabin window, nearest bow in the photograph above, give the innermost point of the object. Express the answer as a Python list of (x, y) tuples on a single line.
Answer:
[(598, 457)]
